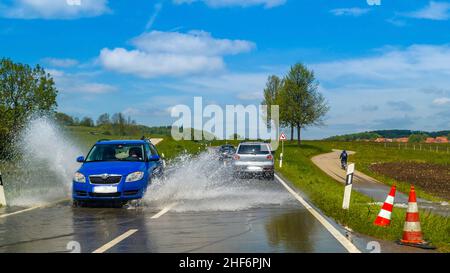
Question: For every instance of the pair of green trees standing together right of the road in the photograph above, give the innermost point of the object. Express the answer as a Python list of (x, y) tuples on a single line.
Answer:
[(300, 103)]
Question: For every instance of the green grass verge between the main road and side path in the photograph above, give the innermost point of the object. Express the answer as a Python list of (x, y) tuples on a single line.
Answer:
[(327, 194)]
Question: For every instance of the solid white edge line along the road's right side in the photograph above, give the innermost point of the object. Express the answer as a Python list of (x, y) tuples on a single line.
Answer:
[(336, 234)]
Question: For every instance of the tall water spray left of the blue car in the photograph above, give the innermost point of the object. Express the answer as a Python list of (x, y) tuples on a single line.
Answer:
[(45, 165)]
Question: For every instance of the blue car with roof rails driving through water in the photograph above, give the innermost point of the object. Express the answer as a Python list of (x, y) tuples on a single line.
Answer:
[(117, 171)]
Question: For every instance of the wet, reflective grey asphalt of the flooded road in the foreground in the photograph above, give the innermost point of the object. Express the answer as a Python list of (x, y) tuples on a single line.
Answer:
[(288, 227)]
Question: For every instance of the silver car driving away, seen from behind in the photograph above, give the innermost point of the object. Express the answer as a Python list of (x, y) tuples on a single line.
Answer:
[(254, 158)]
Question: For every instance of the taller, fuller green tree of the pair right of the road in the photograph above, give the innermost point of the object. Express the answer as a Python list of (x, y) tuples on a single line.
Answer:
[(302, 104)]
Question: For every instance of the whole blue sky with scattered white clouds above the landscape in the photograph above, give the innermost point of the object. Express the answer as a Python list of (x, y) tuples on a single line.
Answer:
[(380, 67)]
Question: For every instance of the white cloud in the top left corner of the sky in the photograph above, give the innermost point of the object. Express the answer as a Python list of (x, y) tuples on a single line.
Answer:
[(53, 9)]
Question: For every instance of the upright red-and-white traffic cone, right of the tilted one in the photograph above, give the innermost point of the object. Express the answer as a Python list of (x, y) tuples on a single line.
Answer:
[(412, 232)]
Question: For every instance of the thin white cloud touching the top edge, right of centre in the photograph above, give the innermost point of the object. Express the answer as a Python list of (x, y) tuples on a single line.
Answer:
[(238, 3)]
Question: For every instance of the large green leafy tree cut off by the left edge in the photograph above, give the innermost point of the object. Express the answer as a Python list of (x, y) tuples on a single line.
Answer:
[(24, 90)]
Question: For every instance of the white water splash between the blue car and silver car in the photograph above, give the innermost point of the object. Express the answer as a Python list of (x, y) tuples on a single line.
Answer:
[(202, 183)]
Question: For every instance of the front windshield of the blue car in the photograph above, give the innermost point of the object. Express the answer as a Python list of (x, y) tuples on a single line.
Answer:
[(116, 152)]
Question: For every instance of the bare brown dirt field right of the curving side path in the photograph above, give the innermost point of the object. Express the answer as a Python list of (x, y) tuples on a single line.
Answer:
[(430, 177)]
